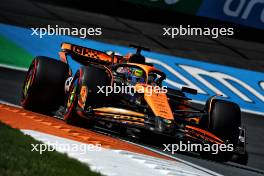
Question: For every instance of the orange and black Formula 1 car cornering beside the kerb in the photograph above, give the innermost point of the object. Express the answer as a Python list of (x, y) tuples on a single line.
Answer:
[(147, 106)]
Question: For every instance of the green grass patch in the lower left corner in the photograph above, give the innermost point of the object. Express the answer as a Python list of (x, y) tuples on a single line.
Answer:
[(17, 159)]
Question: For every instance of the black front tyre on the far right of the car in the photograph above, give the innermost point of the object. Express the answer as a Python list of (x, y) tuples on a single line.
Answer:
[(224, 120)]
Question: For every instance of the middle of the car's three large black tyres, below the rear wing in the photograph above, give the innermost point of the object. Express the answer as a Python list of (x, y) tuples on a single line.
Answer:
[(83, 92)]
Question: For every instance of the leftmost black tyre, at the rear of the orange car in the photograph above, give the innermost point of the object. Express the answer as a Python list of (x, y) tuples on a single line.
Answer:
[(43, 89)]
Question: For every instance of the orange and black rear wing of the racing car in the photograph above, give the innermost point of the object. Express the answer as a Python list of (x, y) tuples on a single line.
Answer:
[(87, 55)]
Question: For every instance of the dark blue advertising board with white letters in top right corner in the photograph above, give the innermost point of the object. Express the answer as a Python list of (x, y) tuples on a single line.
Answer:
[(245, 12)]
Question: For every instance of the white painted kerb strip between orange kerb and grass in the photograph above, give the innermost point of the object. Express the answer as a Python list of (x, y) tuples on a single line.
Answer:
[(120, 162)]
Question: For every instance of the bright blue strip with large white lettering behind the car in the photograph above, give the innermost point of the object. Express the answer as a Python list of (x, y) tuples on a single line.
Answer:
[(242, 86)]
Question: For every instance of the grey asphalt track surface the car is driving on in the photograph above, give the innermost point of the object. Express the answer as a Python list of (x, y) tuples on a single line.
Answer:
[(10, 90)]
